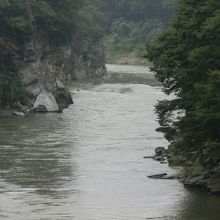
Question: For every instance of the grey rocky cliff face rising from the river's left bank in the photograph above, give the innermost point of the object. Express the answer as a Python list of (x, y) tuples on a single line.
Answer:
[(44, 71)]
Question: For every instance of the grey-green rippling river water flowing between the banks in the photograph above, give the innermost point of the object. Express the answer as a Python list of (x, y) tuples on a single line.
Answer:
[(87, 163)]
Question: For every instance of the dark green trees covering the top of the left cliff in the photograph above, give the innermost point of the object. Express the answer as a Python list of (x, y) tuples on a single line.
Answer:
[(56, 22)]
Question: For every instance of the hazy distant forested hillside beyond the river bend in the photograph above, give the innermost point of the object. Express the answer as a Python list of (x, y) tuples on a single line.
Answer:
[(131, 24)]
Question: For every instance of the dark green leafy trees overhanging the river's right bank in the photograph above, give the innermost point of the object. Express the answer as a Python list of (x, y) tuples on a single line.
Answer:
[(186, 60)]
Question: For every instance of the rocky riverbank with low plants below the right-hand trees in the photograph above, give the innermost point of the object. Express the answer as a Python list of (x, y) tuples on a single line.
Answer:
[(191, 175)]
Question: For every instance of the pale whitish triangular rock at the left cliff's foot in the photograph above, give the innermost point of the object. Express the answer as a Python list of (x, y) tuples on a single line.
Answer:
[(46, 100)]
